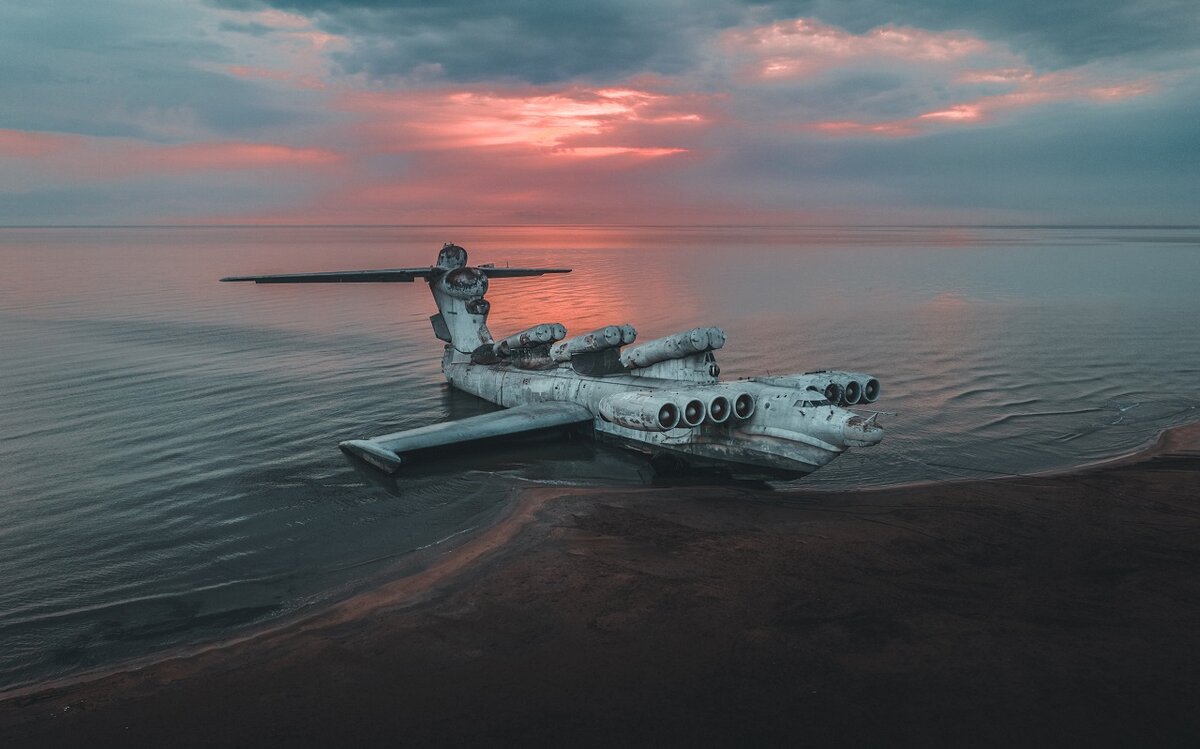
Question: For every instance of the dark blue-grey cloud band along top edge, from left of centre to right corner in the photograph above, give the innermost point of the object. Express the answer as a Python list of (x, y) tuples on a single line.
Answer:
[(602, 40)]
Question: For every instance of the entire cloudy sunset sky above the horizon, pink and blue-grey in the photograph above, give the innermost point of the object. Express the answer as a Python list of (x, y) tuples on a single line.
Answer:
[(127, 112)]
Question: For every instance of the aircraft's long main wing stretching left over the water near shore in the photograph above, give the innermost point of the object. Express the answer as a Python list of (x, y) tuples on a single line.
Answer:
[(386, 452)]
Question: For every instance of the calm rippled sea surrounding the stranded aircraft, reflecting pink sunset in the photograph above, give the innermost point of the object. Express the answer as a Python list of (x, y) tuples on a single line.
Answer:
[(169, 444)]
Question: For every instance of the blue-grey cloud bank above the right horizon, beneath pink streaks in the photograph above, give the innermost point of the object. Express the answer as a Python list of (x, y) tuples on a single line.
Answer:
[(1076, 163)]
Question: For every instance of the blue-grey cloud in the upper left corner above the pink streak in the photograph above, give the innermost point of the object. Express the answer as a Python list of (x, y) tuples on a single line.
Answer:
[(133, 69)]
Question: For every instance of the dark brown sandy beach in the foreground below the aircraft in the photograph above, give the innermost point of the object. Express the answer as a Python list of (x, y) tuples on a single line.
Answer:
[(1035, 612)]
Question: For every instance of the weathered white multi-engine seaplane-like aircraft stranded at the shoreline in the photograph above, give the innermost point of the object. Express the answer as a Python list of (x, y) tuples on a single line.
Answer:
[(663, 398)]
